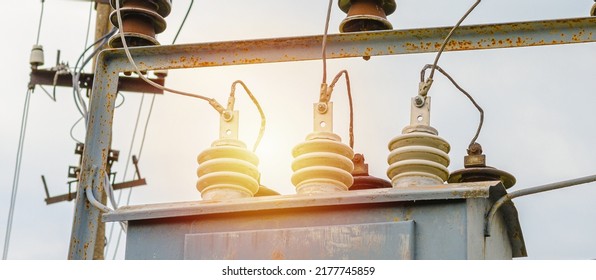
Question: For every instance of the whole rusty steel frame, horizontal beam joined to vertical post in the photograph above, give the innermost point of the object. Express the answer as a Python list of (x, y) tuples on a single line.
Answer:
[(394, 42)]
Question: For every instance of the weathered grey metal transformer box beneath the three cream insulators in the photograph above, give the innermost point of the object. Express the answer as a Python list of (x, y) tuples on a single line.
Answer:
[(437, 222)]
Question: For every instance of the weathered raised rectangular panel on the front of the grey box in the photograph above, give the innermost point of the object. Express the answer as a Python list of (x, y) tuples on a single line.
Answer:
[(391, 241)]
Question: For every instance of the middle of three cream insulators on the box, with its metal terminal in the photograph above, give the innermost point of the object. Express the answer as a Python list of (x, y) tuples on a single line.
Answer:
[(322, 163)]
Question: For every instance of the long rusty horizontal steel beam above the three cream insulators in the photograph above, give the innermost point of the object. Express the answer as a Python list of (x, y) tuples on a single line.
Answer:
[(393, 42)]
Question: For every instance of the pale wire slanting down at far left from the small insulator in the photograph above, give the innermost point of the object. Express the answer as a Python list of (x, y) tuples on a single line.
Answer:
[(17, 172)]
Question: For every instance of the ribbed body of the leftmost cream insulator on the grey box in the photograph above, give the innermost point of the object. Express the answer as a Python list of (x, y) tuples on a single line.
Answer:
[(227, 170)]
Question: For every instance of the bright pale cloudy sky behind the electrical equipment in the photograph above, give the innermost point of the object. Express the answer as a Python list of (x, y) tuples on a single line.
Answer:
[(538, 103)]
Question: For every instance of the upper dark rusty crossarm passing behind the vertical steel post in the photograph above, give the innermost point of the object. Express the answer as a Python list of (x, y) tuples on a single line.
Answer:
[(128, 84)]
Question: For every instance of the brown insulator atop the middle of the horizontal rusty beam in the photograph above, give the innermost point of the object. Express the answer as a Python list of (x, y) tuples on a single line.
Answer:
[(366, 15)]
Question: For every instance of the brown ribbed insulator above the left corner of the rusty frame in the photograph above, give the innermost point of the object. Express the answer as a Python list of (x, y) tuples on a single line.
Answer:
[(141, 21)]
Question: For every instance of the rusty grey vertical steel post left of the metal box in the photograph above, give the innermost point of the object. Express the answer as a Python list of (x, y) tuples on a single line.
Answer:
[(97, 145)]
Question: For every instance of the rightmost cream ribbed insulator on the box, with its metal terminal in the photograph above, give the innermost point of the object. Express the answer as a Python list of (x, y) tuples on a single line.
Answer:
[(418, 156)]
